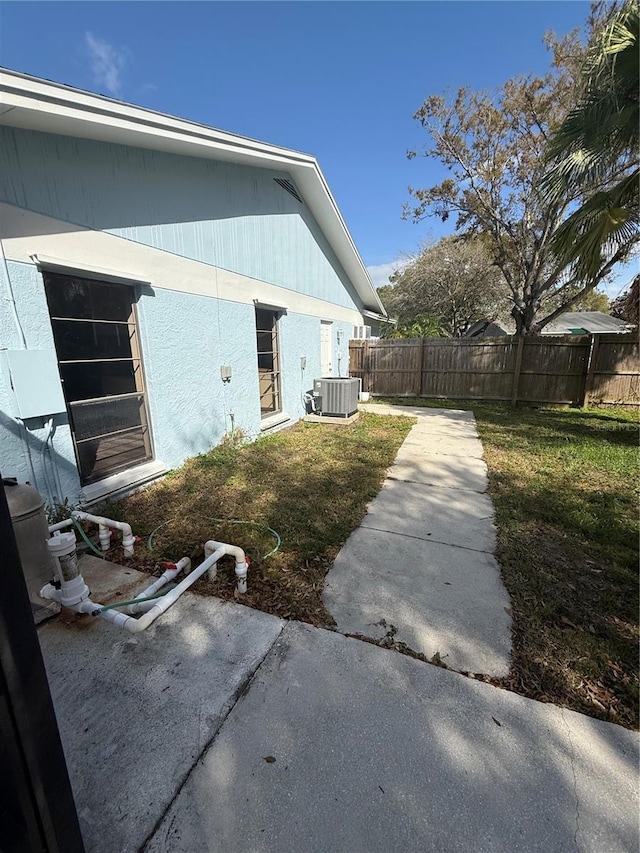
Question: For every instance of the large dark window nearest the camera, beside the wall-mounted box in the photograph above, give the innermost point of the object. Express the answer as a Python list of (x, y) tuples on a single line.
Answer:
[(96, 340)]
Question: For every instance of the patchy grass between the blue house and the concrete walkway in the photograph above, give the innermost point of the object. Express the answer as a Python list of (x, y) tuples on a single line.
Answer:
[(309, 483)]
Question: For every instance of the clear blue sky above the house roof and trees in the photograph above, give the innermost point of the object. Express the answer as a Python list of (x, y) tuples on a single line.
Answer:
[(340, 80)]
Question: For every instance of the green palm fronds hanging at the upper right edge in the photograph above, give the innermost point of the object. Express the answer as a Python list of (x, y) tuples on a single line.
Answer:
[(597, 141)]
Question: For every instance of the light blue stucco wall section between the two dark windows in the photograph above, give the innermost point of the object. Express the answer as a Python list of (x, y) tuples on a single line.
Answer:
[(185, 339)]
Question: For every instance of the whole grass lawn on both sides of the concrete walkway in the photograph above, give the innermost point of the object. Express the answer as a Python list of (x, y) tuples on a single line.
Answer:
[(564, 483)]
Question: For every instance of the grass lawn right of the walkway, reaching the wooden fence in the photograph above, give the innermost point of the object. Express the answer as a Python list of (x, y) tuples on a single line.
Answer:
[(565, 487)]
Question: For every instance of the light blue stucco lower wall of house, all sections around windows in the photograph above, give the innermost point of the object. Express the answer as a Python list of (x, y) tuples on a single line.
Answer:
[(185, 339)]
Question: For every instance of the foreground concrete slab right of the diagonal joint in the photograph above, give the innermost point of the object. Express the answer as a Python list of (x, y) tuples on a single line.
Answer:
[(340, 746)]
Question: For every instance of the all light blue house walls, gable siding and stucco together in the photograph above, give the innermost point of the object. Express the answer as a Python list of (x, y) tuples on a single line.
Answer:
[(227, 216)]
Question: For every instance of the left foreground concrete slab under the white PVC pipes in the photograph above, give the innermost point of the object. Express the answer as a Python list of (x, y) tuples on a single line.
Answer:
[(136, 711)]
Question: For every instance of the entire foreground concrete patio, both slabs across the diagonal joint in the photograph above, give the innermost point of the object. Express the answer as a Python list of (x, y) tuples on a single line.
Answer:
[(223, 728)]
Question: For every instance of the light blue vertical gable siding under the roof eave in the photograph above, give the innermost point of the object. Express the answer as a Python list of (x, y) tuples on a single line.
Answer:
[(234, 217)]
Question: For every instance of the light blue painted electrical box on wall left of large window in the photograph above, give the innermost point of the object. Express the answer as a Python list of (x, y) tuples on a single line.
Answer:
[(33, 382)]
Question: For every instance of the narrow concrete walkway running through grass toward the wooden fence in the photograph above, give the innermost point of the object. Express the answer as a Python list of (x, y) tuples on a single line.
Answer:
[(422, 559)]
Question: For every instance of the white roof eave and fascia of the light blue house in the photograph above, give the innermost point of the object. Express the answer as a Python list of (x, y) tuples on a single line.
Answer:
[(35, 104)]
